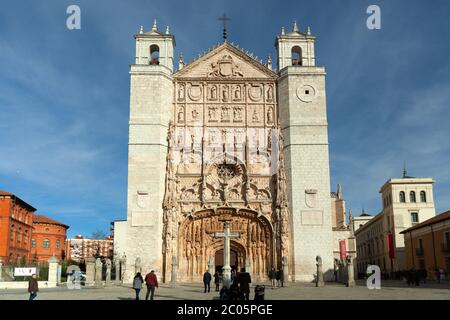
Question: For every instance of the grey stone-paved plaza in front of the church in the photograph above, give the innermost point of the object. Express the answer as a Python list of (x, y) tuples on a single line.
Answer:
[(391, 290)]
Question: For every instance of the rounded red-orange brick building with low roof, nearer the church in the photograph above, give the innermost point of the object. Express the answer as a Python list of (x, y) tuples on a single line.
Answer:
[(48, 239)]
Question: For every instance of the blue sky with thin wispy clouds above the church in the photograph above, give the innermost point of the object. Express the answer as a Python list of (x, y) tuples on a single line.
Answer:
[(64, 95)]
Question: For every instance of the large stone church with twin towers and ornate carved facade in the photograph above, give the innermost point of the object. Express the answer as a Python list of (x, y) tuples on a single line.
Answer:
[(227, 137)]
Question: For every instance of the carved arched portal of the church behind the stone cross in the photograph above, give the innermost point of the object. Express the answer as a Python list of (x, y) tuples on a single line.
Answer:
[(196, 244)]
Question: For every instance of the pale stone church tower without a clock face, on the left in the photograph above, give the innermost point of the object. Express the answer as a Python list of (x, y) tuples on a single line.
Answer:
[(151, 95)]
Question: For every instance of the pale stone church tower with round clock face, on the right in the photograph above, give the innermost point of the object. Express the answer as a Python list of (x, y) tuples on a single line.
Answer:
[(303, 119)]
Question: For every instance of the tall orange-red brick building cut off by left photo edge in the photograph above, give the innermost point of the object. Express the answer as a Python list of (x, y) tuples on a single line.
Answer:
[(16, 226)]
